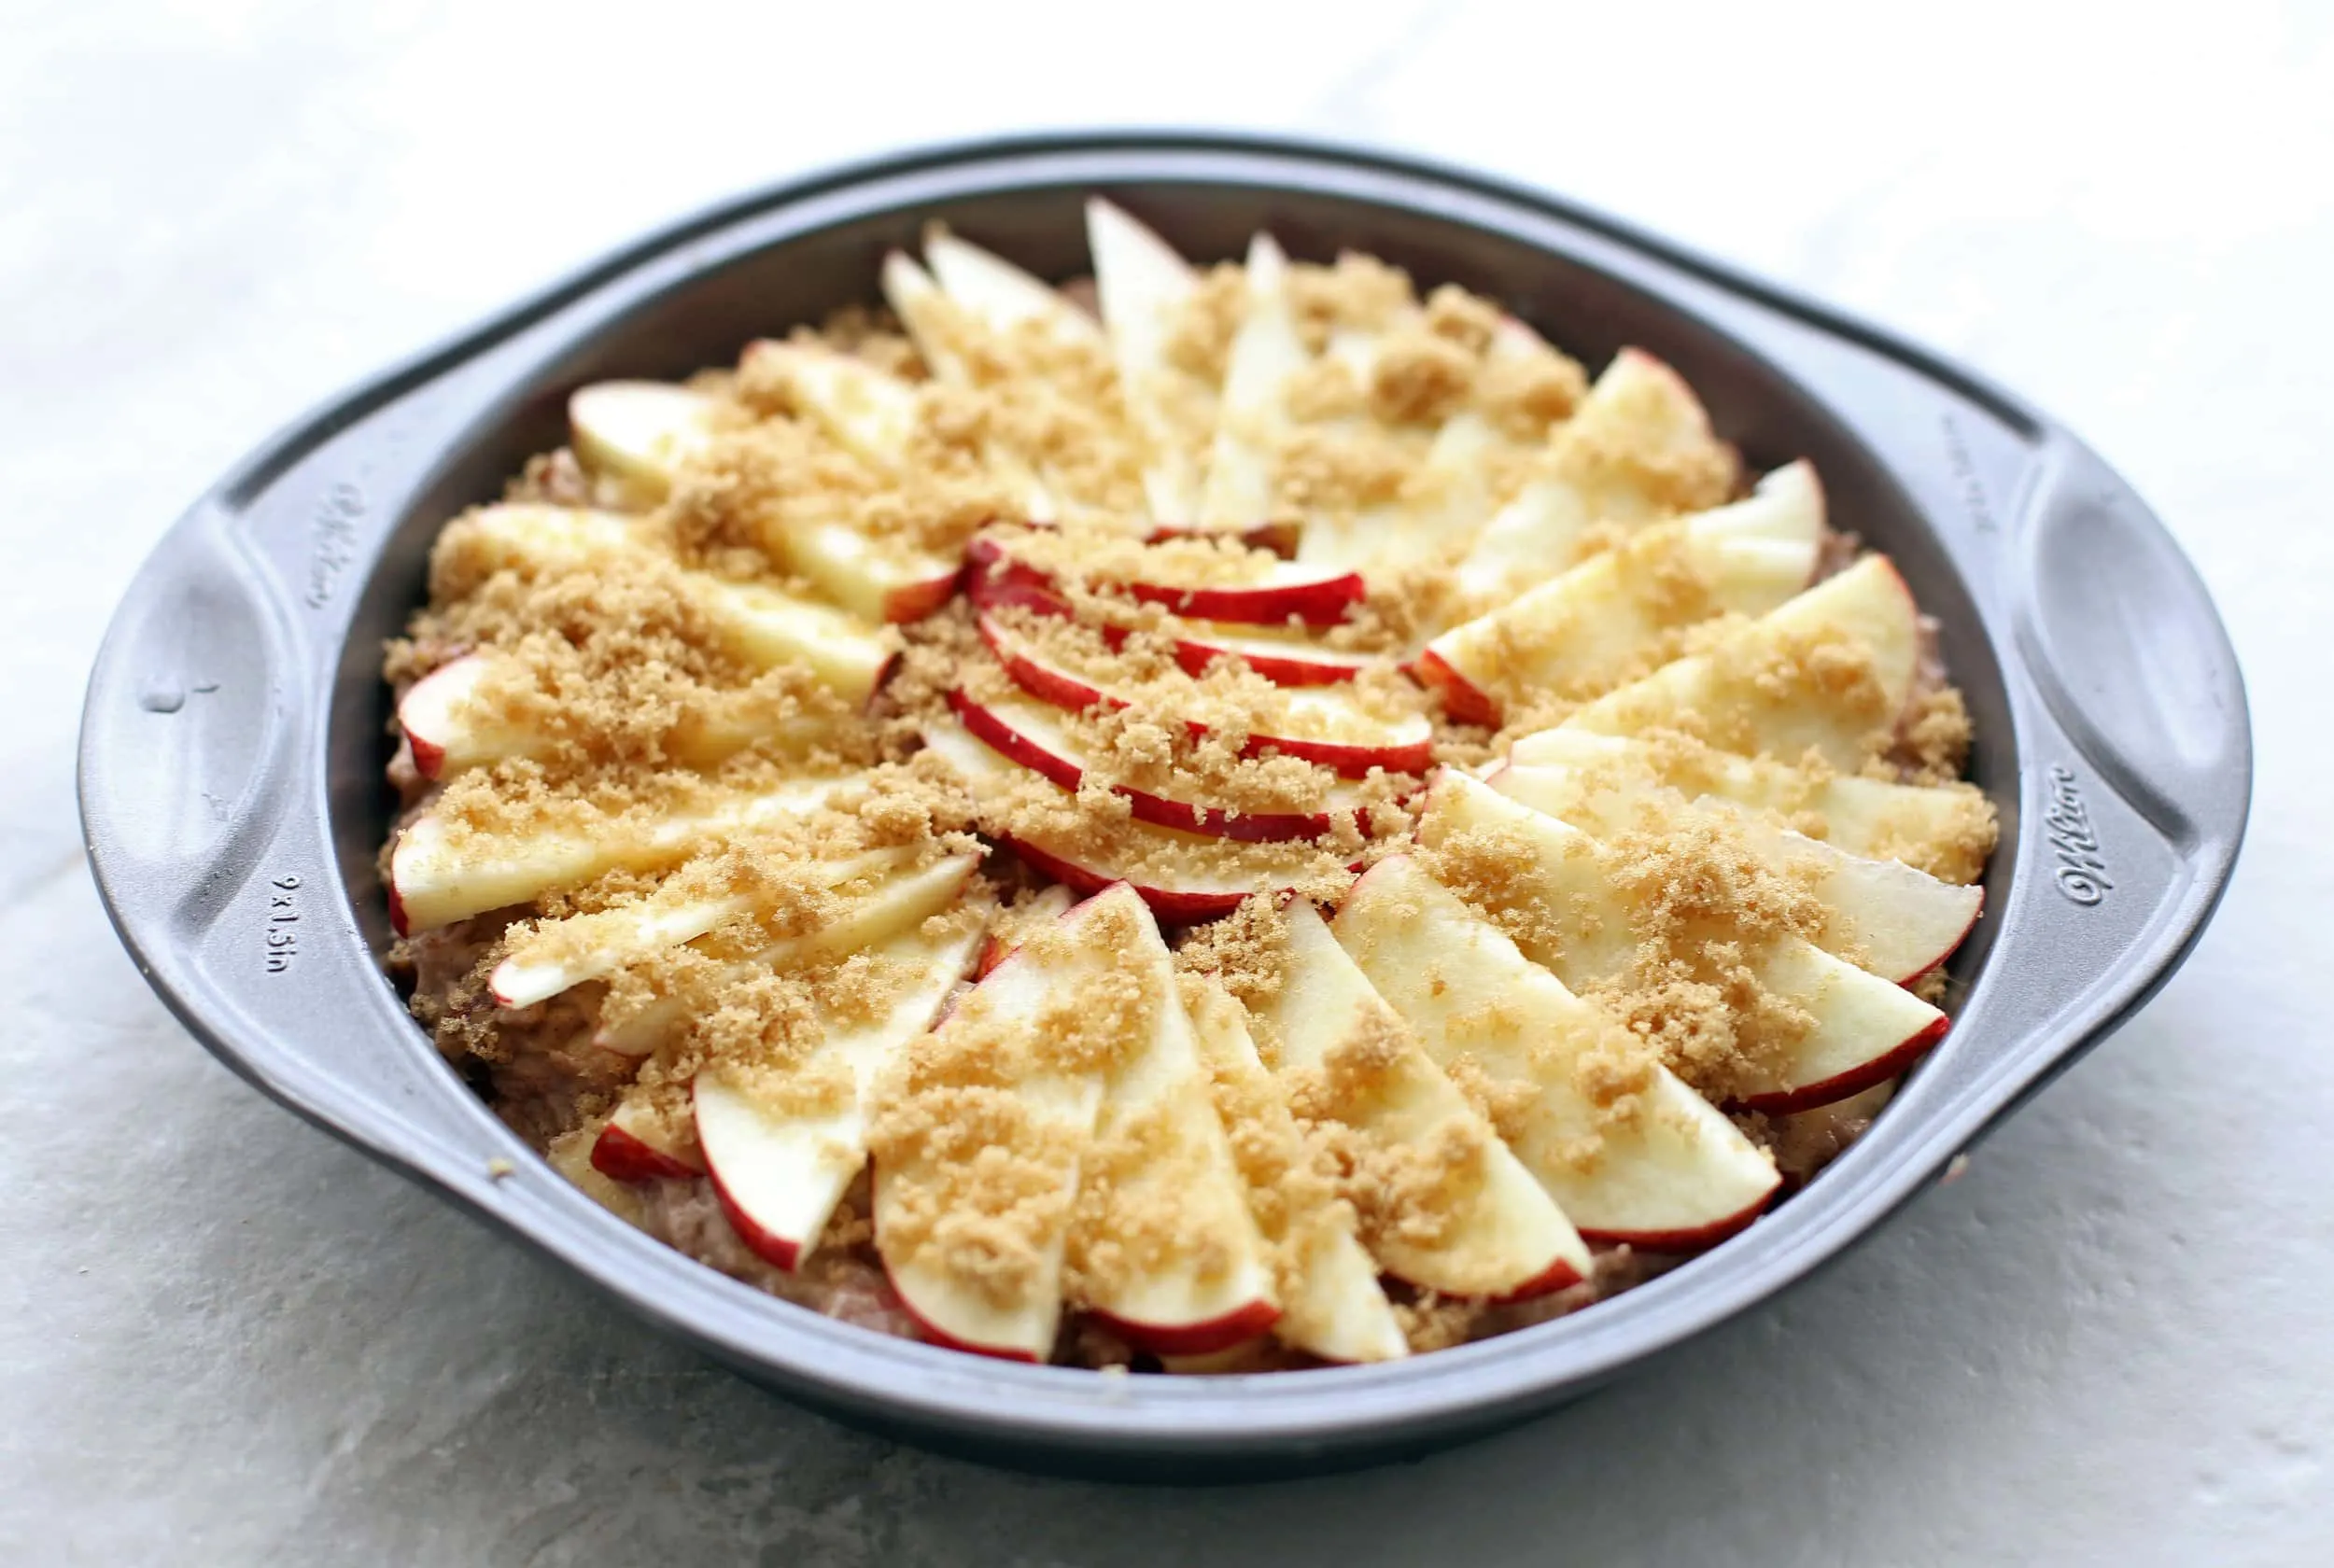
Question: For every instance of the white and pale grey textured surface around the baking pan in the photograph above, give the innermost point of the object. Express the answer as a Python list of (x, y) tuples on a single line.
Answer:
[(228, 1340)]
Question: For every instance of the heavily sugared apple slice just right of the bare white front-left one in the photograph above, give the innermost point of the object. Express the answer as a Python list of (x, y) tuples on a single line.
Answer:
[(986, 1123)]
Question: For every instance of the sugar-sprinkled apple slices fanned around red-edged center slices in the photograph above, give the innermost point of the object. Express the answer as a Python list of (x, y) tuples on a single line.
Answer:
[(1264, 811)]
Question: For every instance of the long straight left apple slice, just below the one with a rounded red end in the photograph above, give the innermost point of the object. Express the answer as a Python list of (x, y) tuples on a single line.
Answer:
[(447, 867)]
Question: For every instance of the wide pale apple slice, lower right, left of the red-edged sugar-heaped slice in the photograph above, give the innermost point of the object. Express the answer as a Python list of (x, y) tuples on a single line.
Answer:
[(1626, 1149)]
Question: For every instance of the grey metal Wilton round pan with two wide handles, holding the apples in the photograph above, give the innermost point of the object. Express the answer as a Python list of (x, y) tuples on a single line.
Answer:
[(235, 741)]
